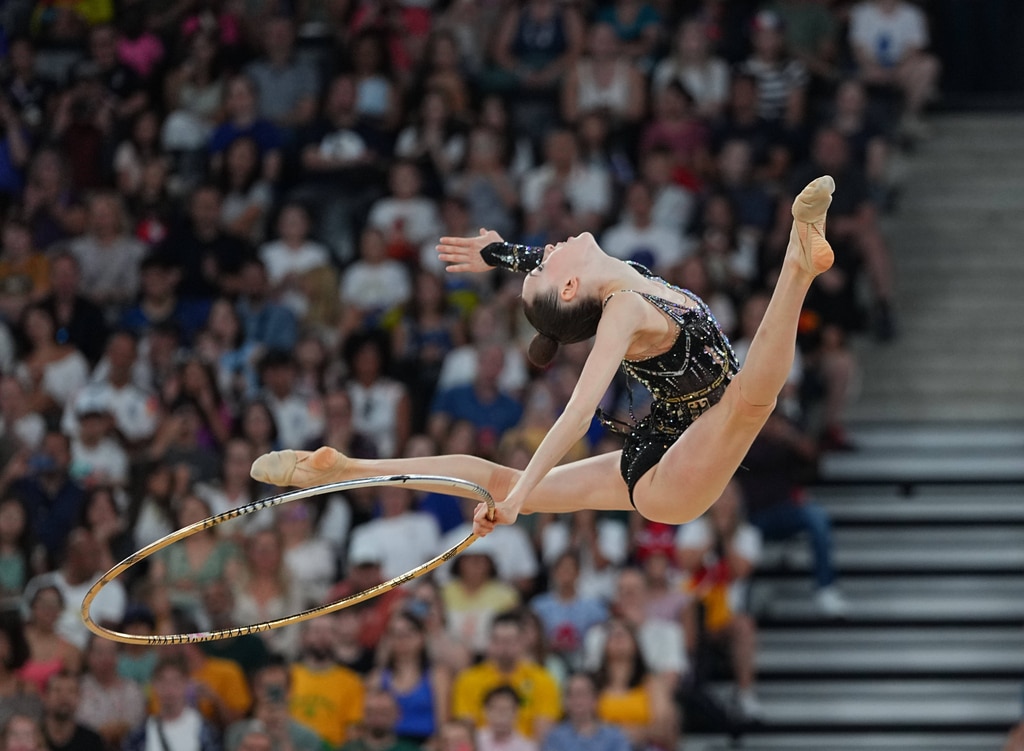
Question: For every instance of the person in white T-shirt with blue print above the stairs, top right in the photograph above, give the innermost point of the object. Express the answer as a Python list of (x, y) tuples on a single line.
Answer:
[(889, 40)]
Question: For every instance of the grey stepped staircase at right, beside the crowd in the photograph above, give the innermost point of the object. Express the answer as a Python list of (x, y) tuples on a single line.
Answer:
[(929, 512)]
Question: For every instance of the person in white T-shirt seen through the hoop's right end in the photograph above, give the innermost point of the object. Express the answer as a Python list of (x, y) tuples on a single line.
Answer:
[(404, 538)]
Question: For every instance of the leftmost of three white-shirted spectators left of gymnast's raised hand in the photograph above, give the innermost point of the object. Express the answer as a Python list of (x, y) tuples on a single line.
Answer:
[(291, 257)]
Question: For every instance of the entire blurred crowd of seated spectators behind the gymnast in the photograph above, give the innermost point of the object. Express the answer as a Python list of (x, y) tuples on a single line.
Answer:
[(219, 231)]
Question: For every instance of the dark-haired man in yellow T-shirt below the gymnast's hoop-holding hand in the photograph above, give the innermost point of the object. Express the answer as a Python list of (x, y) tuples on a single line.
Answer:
[(506, 664)]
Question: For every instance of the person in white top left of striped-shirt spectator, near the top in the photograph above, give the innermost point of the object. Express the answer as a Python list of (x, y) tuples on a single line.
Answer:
[(694, 65)]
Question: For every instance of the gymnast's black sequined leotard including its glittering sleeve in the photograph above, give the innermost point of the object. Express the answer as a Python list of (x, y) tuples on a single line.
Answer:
[(685, 382)]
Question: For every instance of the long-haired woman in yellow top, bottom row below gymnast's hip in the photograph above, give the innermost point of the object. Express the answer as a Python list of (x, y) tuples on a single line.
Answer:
[(631, 697)]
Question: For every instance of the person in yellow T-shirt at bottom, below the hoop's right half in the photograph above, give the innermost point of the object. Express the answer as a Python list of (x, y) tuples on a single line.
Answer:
[(326, 697)]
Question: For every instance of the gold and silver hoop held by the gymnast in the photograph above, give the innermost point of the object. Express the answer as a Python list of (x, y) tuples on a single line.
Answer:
[(439, 482)]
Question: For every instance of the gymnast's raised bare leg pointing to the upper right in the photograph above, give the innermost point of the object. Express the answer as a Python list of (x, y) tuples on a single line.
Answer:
[(697, 469)]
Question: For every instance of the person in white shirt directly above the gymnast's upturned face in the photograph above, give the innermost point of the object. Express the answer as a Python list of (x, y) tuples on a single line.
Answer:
[(588, 188)]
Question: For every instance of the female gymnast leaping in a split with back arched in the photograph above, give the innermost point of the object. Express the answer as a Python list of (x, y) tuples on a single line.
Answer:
[(705, 414)]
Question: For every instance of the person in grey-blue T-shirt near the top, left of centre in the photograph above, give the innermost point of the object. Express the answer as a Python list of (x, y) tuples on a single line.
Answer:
[(287, 87)]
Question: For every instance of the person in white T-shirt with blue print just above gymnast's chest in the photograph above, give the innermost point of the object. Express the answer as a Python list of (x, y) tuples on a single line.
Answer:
[(637, 238)]
